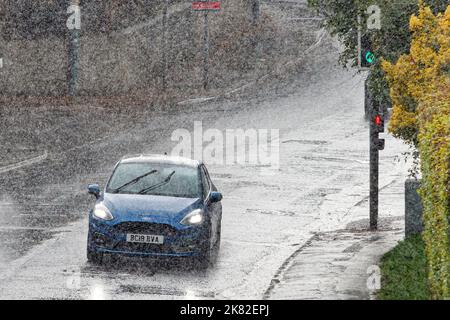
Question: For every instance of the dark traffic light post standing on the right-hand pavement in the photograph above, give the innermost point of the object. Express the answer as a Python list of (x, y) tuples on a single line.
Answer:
[(374, 170)]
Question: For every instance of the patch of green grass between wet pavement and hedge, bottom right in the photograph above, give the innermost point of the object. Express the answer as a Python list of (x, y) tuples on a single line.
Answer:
[(404, 272)]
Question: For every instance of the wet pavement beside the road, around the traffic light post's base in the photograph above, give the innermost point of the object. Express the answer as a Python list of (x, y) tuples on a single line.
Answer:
[(338, 264)]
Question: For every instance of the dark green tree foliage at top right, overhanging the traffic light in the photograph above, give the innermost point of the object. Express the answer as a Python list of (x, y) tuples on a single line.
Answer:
[(393, 40)]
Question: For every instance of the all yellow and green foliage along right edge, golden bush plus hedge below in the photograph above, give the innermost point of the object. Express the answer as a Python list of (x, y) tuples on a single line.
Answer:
[(420, 91)]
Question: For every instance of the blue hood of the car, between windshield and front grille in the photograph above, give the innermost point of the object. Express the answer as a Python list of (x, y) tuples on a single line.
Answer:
[(159, 209)]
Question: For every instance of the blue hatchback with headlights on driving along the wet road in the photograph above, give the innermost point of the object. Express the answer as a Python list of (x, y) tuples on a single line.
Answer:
[(156, 206)]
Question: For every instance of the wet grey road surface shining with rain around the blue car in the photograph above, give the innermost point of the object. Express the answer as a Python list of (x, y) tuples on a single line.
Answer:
[(266, 215)]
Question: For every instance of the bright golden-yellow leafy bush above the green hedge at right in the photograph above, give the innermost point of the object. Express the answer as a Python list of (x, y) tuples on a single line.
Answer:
[(414, 76)]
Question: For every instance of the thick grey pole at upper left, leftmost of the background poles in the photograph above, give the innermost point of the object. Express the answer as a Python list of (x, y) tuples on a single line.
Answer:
[(74, 26)]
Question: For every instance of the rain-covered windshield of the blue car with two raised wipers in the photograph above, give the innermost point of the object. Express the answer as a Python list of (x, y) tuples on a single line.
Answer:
[(169, 180)]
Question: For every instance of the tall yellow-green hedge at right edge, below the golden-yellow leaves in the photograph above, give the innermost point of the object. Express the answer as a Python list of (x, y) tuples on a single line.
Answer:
[(434, 147)]
